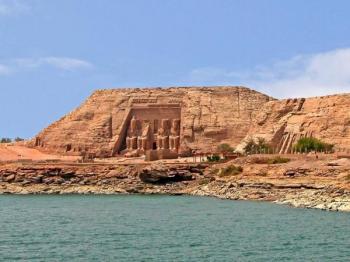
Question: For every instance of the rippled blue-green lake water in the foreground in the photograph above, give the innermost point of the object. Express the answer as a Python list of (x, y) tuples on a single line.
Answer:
[(166, 228)]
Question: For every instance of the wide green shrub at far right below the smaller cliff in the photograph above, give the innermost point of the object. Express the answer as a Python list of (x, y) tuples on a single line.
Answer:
[(309, 144)]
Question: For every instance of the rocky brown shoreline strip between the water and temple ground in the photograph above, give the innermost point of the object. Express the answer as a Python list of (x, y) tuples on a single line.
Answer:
[(317, 185)]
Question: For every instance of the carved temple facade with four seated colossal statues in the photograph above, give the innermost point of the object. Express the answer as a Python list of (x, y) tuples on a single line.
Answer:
[(152, 129)]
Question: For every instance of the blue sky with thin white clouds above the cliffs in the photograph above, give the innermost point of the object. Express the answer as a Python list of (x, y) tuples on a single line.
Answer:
[(53, 54)]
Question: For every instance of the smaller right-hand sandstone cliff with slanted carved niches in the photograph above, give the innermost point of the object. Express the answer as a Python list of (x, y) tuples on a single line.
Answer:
[(283, 122)]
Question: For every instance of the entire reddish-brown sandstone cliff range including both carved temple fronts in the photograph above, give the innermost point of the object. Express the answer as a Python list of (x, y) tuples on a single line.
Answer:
[(164, 123)]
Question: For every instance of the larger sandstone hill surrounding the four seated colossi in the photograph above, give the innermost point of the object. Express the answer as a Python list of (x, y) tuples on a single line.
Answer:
[(101, 126)]
